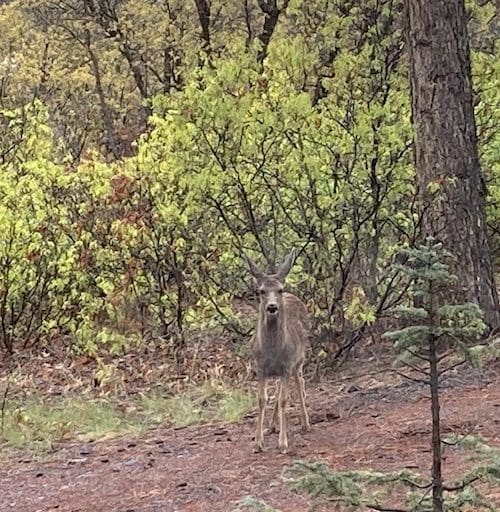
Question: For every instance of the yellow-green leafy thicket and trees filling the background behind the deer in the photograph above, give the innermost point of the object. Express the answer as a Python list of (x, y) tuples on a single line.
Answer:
[(145, 145)]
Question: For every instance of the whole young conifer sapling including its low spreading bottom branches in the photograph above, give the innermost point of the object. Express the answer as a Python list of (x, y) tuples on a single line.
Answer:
[(437, 337)]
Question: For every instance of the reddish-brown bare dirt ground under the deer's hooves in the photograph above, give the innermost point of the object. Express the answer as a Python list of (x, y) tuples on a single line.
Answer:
[(360, 423)]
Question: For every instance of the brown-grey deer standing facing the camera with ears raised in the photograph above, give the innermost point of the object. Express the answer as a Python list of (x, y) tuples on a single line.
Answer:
[(280, 343)]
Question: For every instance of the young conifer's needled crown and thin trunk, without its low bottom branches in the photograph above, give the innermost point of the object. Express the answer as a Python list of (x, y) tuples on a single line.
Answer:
[(434, 332)]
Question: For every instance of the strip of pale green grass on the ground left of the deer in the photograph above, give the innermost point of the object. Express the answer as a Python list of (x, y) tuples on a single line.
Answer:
[(38, 423)]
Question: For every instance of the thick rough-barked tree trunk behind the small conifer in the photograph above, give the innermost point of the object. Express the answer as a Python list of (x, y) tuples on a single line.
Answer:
[(451, 188)]
